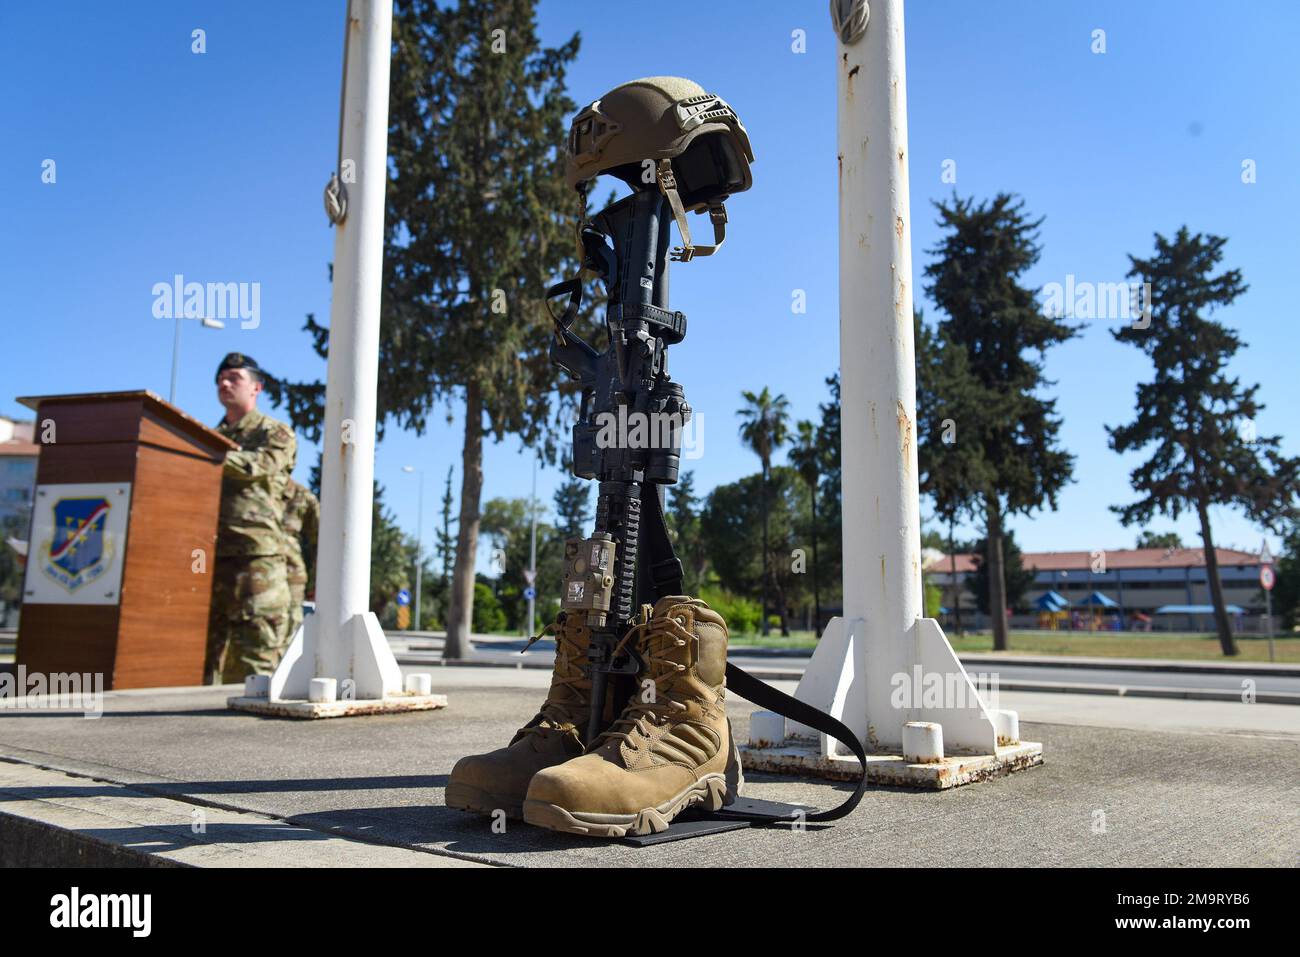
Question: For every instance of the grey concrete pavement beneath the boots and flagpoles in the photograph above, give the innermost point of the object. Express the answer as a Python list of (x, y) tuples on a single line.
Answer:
[(1212, 787)]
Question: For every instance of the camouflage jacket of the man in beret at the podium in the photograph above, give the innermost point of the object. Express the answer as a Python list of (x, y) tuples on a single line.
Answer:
[(253, 486)]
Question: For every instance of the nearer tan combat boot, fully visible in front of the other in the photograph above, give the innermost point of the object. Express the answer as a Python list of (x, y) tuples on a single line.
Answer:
[(671, 748)]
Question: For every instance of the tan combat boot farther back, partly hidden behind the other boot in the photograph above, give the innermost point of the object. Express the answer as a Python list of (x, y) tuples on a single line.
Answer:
[(500, 780)]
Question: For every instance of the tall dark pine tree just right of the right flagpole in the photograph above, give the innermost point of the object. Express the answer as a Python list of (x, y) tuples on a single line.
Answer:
[(1012, 431)]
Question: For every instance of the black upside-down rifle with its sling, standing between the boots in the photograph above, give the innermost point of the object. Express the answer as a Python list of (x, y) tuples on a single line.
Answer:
[(626, 246)]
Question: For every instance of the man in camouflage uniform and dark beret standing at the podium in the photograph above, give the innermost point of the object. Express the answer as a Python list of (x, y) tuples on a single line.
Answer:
[(248, 630)]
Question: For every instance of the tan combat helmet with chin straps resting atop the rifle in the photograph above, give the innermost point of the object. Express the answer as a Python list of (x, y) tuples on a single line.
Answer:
[(670, 132)]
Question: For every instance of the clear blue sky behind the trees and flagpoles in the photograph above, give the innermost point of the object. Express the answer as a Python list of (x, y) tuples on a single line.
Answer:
[(213, 166)]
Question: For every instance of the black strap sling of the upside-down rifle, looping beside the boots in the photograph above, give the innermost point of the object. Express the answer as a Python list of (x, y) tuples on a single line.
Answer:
[(668, 573)]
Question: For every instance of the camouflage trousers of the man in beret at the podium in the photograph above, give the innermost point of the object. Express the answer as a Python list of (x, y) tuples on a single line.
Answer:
[(249, 623)]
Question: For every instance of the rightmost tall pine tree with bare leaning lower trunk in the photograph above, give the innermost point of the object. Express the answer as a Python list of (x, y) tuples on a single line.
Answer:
[(1199, 421)]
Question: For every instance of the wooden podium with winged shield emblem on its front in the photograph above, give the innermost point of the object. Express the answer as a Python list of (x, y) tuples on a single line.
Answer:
[(123, 540)]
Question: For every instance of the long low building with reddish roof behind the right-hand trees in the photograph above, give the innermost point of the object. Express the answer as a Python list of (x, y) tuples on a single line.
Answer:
[(1165, 590)]
